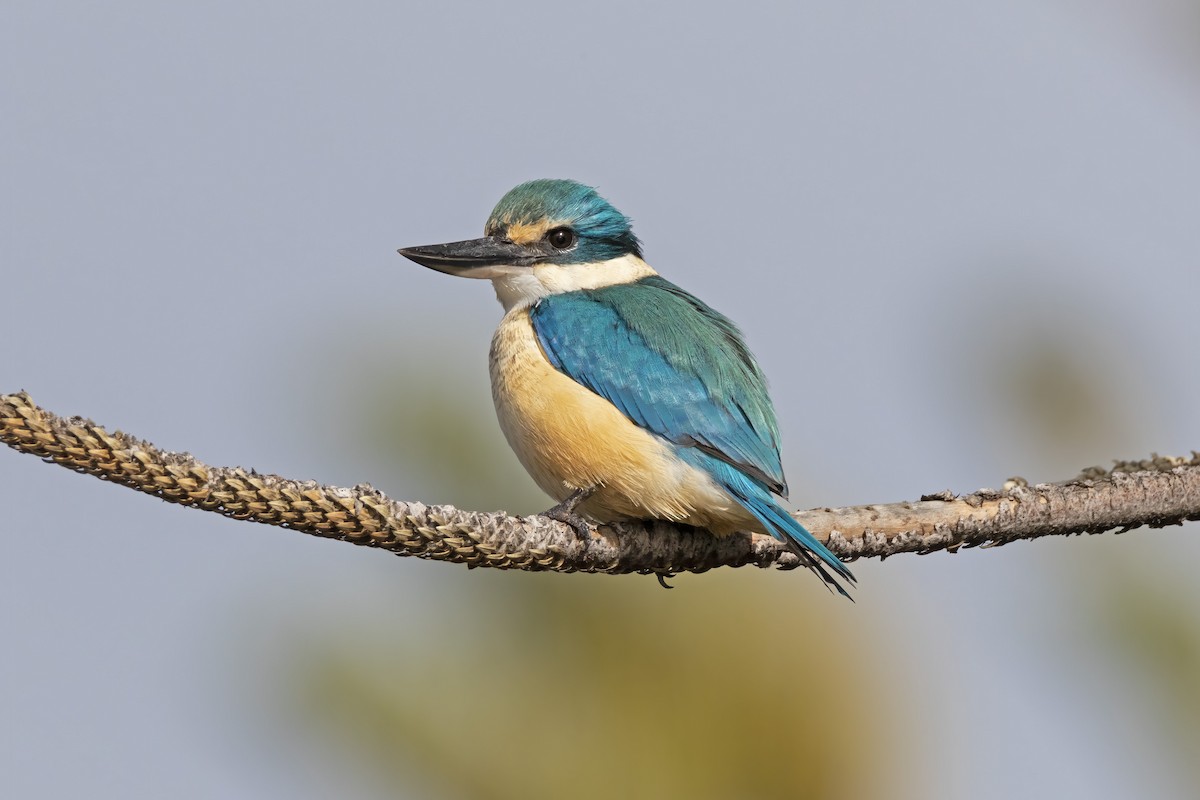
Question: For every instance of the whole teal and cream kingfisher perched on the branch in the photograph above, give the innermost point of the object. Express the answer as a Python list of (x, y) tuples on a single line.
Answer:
[(623, 396)]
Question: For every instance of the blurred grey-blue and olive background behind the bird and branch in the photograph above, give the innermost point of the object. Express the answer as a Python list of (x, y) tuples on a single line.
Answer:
[(962, 239)]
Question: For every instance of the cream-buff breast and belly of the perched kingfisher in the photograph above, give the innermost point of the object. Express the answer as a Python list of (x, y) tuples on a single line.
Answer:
[(571, 438)]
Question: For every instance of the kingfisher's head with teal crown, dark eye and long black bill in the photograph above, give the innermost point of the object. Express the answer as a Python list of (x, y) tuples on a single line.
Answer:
[(543, 222)]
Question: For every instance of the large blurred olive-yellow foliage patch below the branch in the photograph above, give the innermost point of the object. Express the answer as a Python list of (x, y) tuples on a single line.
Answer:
[(590, 687)]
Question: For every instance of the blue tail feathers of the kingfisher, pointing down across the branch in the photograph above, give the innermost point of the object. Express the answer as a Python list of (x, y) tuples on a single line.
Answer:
[(758, 501)]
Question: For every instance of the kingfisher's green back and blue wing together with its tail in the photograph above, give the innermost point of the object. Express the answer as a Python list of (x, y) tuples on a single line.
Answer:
[(679, 369)]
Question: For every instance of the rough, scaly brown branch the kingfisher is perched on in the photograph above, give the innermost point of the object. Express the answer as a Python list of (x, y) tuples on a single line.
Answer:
[(1157, 492)]
